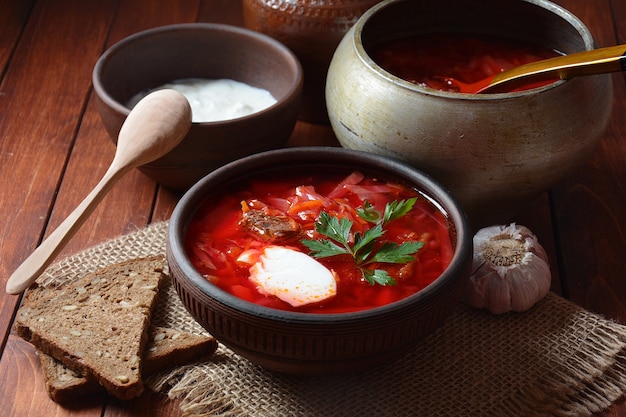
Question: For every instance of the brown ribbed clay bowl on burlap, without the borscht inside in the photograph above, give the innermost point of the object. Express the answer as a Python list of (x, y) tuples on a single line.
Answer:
[(309, 343)]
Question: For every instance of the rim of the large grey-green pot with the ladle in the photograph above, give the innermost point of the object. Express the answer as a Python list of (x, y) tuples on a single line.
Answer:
[(561, 12)]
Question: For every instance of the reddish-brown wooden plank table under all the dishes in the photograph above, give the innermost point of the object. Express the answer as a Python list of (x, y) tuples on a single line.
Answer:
[(54, 149)]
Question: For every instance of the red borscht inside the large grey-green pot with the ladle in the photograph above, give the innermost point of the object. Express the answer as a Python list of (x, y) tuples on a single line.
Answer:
[(439, 61)]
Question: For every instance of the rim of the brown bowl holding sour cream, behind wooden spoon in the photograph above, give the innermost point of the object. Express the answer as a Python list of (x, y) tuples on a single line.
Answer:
[(209, 27)]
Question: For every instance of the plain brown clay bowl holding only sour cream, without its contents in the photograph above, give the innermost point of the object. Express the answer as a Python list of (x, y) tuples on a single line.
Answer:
[(157, 56)]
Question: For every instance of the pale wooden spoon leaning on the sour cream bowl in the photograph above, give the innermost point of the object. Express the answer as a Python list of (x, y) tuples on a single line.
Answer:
[(155, 126)]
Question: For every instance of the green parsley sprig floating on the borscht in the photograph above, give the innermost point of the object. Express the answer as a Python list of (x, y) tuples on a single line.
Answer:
[(365, 250)]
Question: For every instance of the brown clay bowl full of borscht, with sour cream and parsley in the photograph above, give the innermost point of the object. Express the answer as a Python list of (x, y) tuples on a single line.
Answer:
[(319, 260)]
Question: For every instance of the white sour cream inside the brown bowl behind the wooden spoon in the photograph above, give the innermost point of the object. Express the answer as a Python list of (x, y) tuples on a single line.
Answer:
[(216, 100)]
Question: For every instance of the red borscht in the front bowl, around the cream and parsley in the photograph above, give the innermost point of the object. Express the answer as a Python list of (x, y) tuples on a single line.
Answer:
[(228, 235)]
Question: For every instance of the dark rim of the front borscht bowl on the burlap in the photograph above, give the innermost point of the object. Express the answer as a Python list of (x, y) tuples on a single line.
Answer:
[(288, 158)]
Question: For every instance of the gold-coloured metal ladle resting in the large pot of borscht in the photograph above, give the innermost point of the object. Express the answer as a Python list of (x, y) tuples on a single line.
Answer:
[(596, 61)]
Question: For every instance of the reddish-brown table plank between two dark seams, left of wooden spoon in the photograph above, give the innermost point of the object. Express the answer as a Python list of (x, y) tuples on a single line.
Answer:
[(44, 91)]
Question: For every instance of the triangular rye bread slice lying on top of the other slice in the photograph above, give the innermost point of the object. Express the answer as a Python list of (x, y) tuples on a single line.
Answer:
[(99, 324)]
